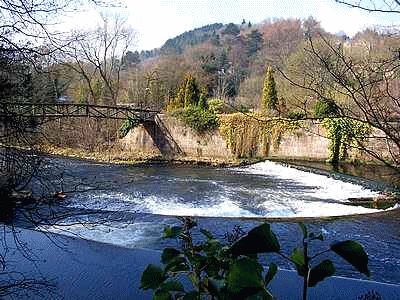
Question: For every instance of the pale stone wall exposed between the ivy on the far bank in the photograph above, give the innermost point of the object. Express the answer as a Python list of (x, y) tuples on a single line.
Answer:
[(172, 139)]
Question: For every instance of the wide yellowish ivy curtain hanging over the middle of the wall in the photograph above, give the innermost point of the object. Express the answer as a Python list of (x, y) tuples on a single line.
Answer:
[(244, 133)]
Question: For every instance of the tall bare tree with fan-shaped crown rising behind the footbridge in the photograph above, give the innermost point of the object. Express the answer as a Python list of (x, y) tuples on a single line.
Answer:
[(98, 57)]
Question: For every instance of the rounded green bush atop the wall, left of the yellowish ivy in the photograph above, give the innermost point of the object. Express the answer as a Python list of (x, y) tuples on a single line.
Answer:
[(197, 118)]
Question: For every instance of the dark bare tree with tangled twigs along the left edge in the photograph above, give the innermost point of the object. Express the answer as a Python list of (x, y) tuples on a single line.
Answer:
[(27, 38)]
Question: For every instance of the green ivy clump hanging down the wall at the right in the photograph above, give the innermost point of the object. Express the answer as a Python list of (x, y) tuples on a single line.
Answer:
[(344, 133)]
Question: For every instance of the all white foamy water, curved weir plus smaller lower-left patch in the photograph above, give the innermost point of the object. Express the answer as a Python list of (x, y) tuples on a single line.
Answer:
[(278, 191)]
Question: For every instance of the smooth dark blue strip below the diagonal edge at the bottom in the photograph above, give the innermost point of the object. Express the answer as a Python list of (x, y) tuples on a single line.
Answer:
[(75, 268)]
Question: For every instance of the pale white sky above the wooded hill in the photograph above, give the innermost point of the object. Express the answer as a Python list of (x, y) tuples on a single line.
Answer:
[(155, 21)]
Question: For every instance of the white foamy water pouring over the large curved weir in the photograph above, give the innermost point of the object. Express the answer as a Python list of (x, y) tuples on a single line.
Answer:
[(310, 195)]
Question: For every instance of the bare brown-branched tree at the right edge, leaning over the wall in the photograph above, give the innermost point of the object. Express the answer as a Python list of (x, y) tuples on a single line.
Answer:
[(365, 87)]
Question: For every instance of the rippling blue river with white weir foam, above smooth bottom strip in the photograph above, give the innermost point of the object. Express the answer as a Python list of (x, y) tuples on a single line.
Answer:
[(147, 198)]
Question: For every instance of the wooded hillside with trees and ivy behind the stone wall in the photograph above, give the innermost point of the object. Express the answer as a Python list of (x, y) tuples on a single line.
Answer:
[(281, 68)]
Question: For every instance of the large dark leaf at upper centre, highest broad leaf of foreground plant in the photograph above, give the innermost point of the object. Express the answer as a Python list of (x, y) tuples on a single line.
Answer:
[(260, 239)]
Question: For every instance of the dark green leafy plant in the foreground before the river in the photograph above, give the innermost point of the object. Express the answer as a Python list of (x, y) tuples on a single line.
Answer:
[(233, 271)]
